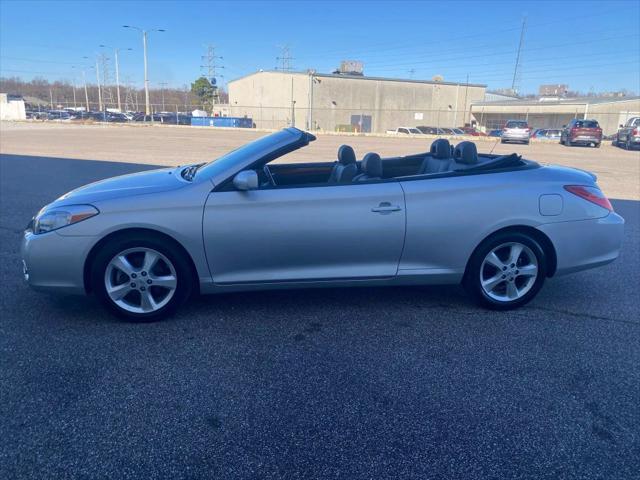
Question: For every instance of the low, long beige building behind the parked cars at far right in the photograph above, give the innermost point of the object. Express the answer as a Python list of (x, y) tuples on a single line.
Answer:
[(609, 112)]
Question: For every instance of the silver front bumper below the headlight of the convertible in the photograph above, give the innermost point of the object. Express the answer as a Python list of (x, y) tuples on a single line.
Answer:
[(52, 262)]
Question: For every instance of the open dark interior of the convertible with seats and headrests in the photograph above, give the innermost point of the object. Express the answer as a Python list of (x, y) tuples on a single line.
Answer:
[(441, 160)]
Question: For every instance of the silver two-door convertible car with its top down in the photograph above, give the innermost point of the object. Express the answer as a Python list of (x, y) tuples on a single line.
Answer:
[(500, 224)]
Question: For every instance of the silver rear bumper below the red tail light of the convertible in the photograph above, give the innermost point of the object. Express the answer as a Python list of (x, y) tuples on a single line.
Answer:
[(586, 243)]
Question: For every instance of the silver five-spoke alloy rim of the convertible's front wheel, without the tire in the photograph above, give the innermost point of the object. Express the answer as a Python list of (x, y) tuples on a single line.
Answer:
[(140, 280)]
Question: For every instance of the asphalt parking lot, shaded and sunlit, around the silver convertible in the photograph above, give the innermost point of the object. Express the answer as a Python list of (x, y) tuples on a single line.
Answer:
[(360, 383)]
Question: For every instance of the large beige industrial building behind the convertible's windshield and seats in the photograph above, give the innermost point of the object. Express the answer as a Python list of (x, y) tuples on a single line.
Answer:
[(343, 102)]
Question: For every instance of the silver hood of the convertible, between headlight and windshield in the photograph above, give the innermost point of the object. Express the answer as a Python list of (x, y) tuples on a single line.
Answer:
[(152, 181)]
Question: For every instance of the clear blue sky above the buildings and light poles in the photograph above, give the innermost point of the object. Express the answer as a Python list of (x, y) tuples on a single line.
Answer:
[(589, 45)]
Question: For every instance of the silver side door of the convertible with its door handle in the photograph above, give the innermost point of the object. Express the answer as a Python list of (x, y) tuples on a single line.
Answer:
[(304, 234)]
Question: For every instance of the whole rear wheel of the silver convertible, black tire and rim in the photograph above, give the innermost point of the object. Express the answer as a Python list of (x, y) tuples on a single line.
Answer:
[(527, 275)]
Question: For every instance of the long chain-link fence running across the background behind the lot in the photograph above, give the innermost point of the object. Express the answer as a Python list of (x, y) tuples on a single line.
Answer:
[(478, 119)]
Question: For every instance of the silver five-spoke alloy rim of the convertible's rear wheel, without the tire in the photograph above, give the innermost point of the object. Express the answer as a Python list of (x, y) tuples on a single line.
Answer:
[(508, 272)]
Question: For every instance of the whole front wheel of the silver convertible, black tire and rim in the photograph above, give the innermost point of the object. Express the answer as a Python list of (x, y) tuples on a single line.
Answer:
[(133, 292)]
